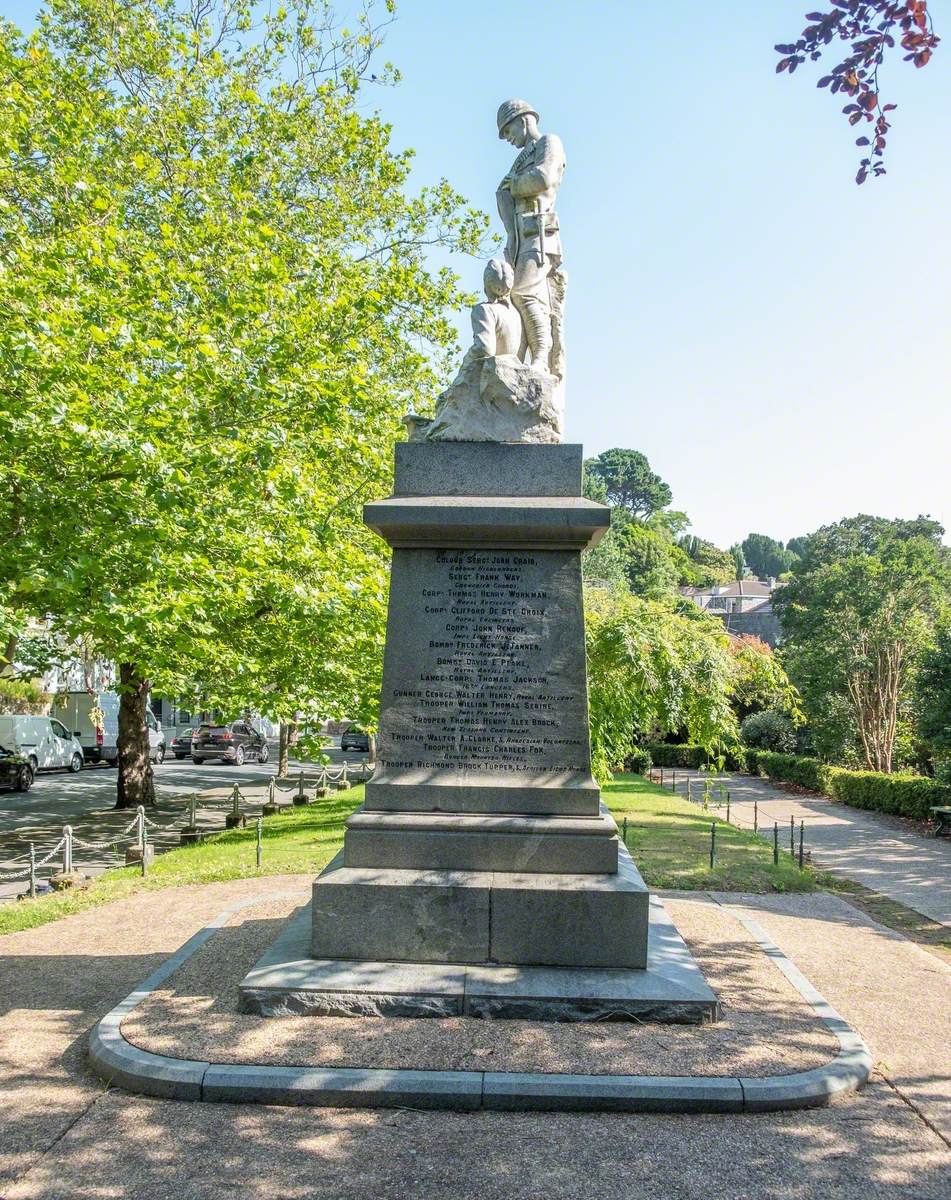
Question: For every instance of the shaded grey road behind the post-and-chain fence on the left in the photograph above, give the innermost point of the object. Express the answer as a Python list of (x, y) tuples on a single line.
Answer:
[(87, 803)]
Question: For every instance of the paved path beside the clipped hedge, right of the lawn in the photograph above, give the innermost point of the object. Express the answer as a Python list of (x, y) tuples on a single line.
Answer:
[(880, 851)]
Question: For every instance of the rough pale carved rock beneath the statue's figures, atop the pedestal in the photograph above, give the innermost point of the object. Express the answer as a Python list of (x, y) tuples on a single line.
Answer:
[(497, 399)]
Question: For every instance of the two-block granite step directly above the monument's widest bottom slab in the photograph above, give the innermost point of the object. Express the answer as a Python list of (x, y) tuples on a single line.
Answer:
[(499, 917)]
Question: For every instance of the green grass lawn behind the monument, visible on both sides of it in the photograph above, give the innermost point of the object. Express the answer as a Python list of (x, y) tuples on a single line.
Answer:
[(668, 837)]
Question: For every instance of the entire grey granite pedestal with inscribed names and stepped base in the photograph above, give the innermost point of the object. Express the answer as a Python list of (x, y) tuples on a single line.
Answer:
[(483, 848)]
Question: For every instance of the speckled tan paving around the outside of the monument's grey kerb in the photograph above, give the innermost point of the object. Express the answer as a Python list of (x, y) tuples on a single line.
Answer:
[(62, 1136)]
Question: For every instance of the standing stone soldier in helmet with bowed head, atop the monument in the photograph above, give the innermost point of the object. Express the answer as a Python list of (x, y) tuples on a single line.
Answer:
[(527, 206)]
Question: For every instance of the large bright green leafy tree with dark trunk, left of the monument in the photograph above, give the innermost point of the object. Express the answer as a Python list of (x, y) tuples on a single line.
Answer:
[(216, 308)]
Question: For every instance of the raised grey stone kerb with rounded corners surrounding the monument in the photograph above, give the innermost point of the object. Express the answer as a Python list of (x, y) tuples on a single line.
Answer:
[(124, 1065)]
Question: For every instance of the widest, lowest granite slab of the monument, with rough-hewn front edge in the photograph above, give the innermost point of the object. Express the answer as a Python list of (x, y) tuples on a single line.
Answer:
[(288, 981)]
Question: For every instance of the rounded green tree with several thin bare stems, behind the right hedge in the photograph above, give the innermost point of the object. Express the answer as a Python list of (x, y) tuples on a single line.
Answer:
[(854, 631)]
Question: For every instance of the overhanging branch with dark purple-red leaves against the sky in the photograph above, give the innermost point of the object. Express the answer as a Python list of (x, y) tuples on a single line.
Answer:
[(872, 28)]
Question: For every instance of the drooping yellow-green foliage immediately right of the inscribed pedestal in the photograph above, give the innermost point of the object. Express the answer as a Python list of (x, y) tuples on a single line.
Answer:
[(653, 670)]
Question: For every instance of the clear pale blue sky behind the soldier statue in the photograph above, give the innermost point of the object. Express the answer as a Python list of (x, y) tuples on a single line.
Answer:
[(775, 339)]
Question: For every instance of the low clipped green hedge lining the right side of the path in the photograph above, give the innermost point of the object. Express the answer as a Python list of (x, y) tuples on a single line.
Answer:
[(907, 796)]
